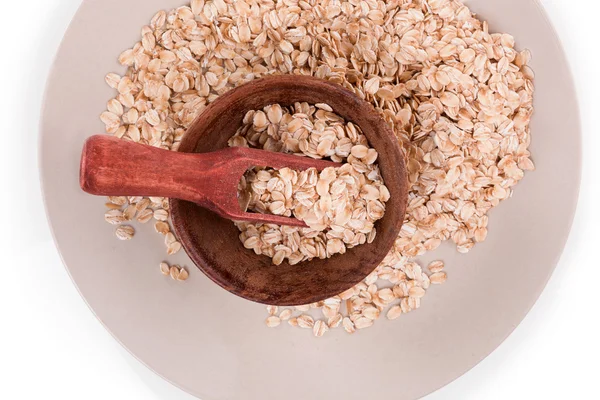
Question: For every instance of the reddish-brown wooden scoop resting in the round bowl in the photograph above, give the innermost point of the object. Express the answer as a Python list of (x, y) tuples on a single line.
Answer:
[(115, 167)]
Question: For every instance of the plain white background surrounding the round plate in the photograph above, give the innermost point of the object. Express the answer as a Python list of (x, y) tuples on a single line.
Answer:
[(51, 346)]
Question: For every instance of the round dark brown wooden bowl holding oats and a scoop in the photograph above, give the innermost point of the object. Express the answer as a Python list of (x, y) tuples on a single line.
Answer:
[(212, 242)]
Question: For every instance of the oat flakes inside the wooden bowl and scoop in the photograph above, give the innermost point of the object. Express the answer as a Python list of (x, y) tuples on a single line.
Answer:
[(339, 205)]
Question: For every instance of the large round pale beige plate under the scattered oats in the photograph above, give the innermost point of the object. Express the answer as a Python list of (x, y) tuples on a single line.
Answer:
[(215, 345)]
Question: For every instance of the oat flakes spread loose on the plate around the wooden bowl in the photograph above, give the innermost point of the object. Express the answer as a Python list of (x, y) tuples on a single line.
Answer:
[(458, 97)]
